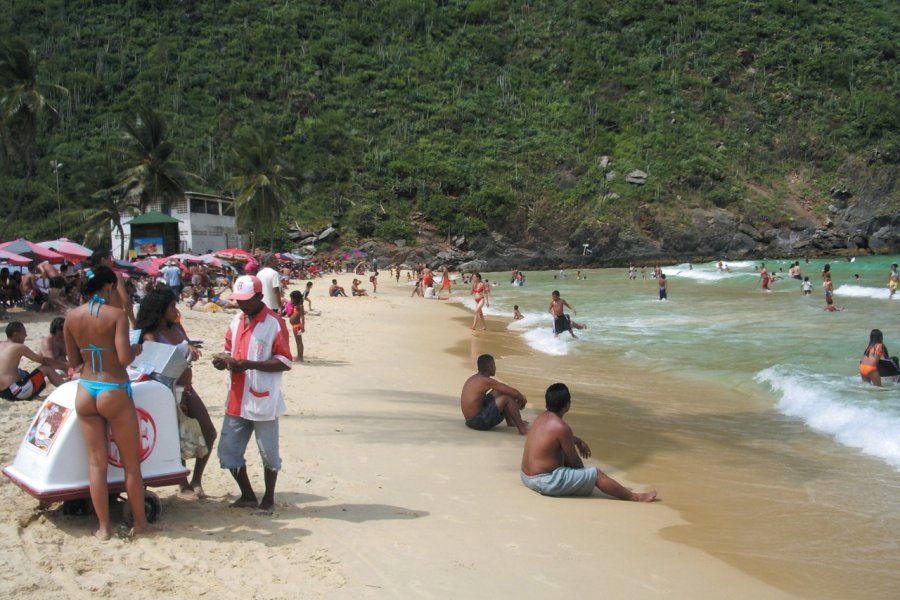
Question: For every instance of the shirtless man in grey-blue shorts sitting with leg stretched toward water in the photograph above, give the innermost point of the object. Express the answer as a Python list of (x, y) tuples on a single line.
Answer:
[(551, 464)]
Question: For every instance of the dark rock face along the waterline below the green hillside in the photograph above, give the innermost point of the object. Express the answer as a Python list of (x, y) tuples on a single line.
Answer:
[(865, 220)]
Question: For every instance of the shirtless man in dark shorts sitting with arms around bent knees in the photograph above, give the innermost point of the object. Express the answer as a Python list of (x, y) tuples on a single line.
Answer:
[(485, 401)]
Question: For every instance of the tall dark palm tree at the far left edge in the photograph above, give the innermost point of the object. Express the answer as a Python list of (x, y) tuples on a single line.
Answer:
[(23, 104)]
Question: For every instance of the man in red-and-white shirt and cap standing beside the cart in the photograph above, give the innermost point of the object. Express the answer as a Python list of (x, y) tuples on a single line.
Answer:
[(257, 351)]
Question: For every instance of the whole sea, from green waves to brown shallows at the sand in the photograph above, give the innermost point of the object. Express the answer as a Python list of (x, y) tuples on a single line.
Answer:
[(744, 407)]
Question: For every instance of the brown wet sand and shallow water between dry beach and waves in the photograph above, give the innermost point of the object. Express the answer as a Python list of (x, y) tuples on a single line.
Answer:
[(747, 480)]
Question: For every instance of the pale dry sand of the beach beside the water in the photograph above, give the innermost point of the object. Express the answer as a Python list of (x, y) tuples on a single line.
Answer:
[(384, 492)]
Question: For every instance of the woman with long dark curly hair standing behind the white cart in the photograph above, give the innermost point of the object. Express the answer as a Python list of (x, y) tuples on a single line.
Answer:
[(158, 321)]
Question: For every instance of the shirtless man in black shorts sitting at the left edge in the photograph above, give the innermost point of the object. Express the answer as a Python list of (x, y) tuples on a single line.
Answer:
[(16, 383)]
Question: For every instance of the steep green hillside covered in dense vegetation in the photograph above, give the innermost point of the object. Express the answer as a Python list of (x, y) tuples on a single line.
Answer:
[(471, 115)]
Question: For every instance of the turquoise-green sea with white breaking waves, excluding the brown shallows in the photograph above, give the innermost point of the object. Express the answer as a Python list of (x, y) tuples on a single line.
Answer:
[(721, 326)]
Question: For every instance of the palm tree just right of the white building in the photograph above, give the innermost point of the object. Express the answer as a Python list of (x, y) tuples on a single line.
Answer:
[(261, 183)]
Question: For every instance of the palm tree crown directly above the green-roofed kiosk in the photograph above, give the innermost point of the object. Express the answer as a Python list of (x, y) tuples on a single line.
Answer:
[(149, 174)]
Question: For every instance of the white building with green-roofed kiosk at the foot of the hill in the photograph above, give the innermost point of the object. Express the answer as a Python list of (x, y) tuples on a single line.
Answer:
[(197, 223)]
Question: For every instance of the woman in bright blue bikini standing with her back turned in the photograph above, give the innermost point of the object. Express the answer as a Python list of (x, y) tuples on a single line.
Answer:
[(97, 344)]
